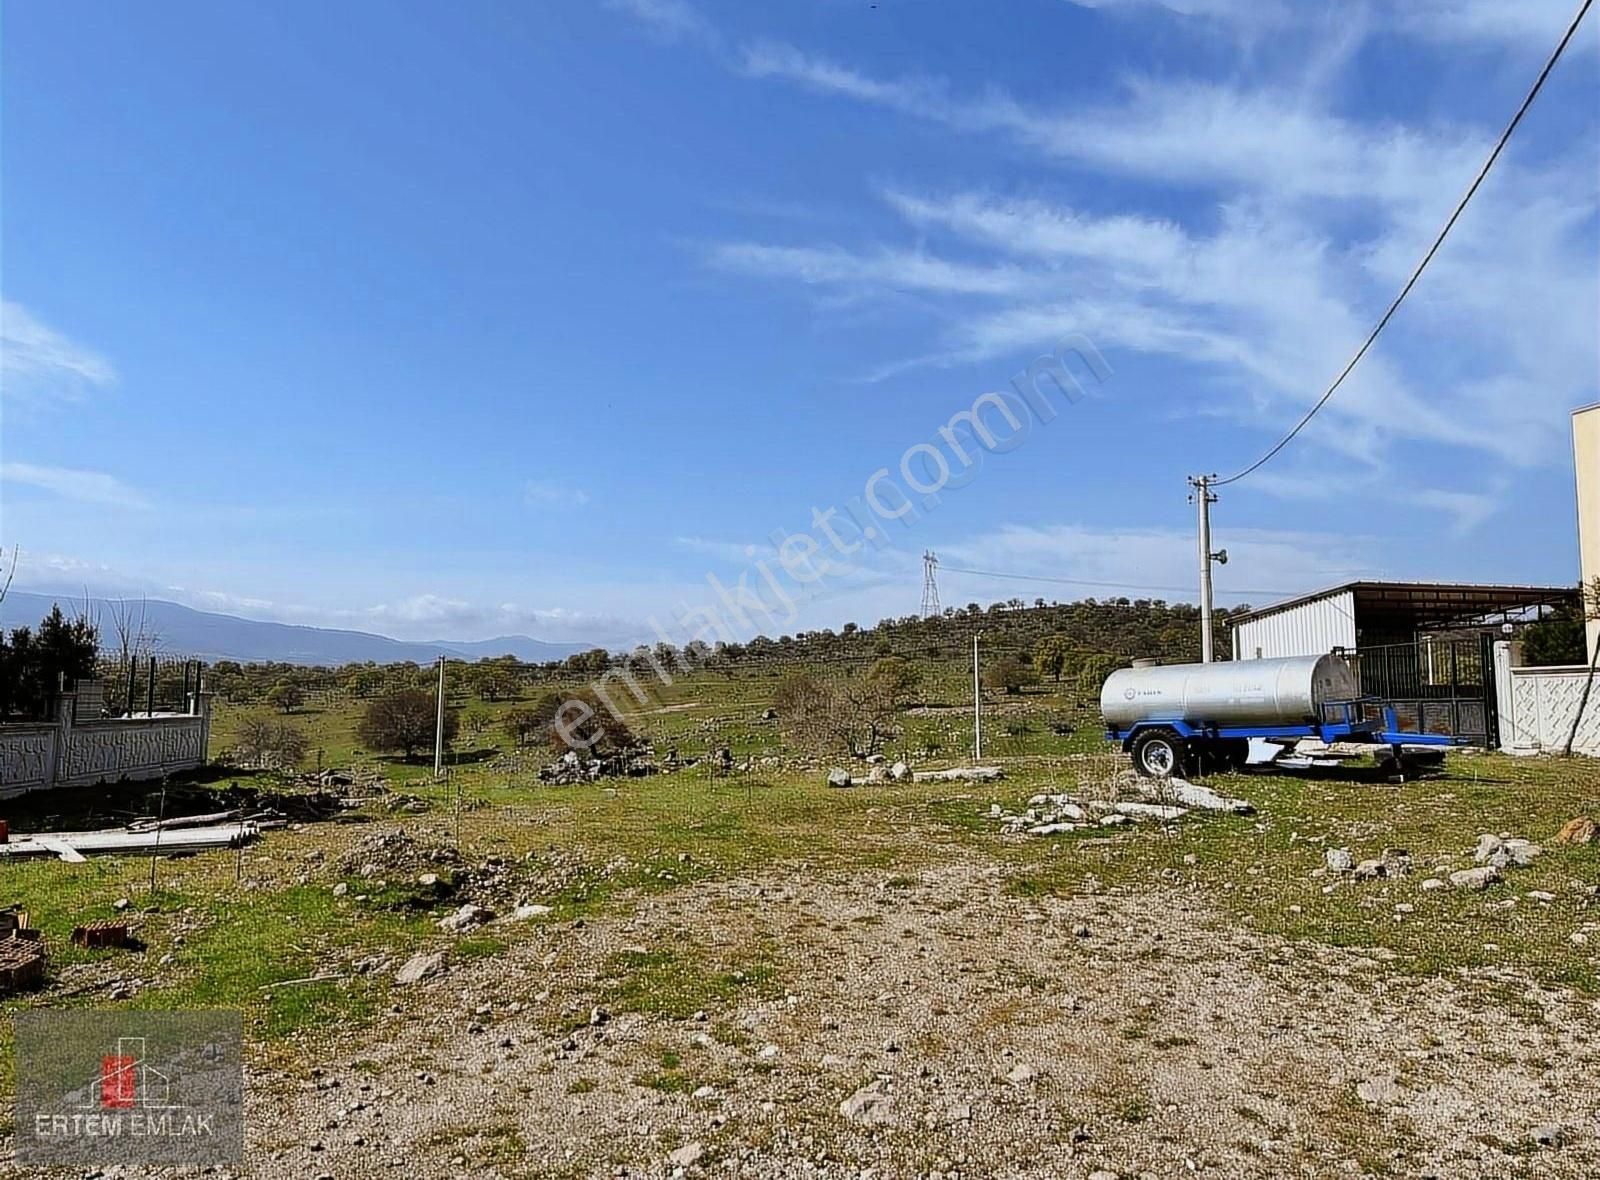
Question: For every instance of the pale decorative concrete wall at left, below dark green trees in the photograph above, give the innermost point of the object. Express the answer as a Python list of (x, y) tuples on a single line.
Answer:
[(82, 754)]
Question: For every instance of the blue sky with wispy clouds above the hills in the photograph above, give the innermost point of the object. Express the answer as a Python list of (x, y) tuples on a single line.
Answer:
[(495, 317)]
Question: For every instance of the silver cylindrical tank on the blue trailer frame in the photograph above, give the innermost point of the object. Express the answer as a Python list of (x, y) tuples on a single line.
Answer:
[(1234, 693)]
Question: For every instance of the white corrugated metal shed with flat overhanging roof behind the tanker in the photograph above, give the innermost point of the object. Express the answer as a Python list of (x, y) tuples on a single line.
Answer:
[(1366, 615)]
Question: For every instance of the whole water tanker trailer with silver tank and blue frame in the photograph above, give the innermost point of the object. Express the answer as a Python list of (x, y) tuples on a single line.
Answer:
[(1183, 719)]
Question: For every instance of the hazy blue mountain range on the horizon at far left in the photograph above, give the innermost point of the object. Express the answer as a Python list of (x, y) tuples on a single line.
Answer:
[(225, 637)]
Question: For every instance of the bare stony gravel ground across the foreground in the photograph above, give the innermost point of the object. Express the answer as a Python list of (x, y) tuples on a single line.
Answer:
[(993, 1037)]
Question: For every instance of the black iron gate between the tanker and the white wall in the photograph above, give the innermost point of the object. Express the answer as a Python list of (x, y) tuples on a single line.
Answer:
[(1438, 685)]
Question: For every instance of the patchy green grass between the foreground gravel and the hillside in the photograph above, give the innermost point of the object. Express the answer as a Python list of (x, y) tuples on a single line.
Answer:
[(257, 930)]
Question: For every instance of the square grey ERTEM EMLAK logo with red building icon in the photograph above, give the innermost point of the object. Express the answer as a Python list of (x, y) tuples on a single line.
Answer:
[(130, 1088)]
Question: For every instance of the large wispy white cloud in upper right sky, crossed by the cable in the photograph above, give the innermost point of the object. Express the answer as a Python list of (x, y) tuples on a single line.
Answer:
[(1318, 220)]
